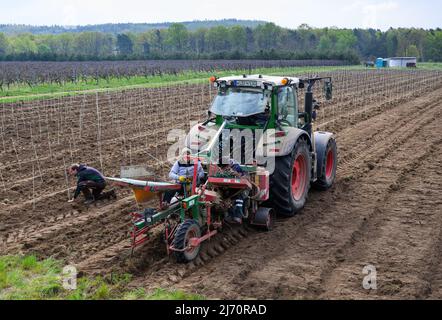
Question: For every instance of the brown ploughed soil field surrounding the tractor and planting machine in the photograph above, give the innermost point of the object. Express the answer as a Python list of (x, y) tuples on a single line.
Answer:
[(385, 209)]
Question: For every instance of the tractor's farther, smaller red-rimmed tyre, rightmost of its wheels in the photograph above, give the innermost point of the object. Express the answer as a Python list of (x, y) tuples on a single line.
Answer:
[(327, 165)]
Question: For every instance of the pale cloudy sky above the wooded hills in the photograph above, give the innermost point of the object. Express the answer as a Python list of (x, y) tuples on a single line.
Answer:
[(379, 14)]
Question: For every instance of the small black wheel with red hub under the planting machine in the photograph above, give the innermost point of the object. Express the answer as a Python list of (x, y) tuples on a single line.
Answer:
[(187, 230)]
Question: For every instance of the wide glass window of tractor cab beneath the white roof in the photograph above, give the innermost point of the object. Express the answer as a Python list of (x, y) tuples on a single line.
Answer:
[(240, 102)]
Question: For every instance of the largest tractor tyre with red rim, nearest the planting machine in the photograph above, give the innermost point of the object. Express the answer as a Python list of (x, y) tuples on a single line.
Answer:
[(290, 182)]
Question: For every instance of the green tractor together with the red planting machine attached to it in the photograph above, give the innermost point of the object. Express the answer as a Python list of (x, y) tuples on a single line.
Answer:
[(284, 158)]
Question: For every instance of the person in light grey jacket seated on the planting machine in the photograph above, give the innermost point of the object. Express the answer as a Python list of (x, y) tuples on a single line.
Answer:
[(181, 172)]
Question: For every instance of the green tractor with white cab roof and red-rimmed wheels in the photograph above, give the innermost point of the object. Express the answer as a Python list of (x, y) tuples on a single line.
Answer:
[(265, 103)]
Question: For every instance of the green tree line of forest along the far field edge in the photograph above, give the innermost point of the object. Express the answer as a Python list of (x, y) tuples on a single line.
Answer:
[(266, 41)]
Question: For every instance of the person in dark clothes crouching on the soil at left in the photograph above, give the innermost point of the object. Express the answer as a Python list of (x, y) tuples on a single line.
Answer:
[(88, 179)]
